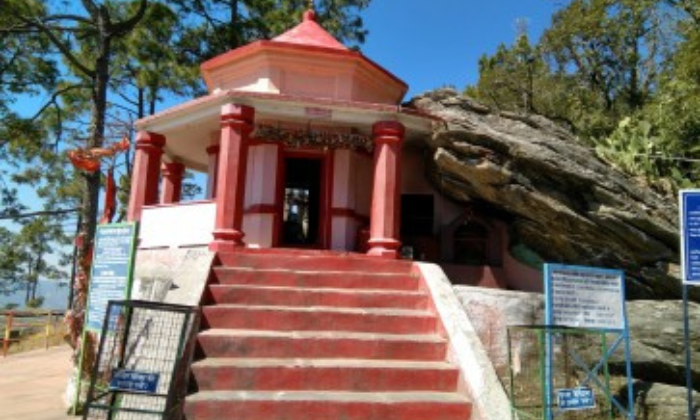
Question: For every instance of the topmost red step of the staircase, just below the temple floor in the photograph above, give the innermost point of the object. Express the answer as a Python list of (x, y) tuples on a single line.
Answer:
[(312, 260)]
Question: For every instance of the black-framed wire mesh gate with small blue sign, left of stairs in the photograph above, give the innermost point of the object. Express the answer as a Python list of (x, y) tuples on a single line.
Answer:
[(141, 367)]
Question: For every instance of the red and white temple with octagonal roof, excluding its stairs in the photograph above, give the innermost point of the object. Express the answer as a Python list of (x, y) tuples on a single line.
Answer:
[(305, 145)]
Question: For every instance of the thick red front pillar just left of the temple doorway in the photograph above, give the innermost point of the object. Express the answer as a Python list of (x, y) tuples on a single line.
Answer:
[(236, 126)]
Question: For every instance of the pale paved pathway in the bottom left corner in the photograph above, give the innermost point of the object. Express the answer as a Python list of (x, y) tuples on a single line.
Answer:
[(32, 385)]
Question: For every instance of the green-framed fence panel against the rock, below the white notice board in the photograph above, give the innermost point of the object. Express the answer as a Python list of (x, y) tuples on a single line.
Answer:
[(578, 363)]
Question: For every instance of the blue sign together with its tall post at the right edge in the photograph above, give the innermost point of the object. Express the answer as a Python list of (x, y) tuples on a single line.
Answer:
[(689, 208)]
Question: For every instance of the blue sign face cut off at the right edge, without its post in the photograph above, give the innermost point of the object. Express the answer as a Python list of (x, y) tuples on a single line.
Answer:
[(690, 235)]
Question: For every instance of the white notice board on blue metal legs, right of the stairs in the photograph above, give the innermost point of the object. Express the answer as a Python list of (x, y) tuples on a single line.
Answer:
[(587, 298)]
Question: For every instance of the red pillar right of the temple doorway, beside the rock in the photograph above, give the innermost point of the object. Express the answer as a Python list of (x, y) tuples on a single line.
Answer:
[(385, 214)]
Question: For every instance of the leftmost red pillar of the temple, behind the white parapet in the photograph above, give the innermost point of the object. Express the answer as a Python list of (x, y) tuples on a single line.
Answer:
[(145, 174)]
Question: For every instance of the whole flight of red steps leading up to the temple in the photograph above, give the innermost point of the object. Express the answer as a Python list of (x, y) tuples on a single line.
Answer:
[(313, 335)]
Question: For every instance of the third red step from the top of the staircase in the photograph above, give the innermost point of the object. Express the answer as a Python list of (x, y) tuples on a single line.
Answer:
[(297, 296)]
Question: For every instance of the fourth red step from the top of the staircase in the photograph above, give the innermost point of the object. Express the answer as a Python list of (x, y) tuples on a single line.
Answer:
[(319, 318)]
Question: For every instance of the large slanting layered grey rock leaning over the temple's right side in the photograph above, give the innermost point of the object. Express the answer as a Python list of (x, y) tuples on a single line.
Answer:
[(558, 198)]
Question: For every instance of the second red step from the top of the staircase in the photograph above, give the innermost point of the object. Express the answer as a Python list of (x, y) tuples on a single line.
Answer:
[(316, 279)]
